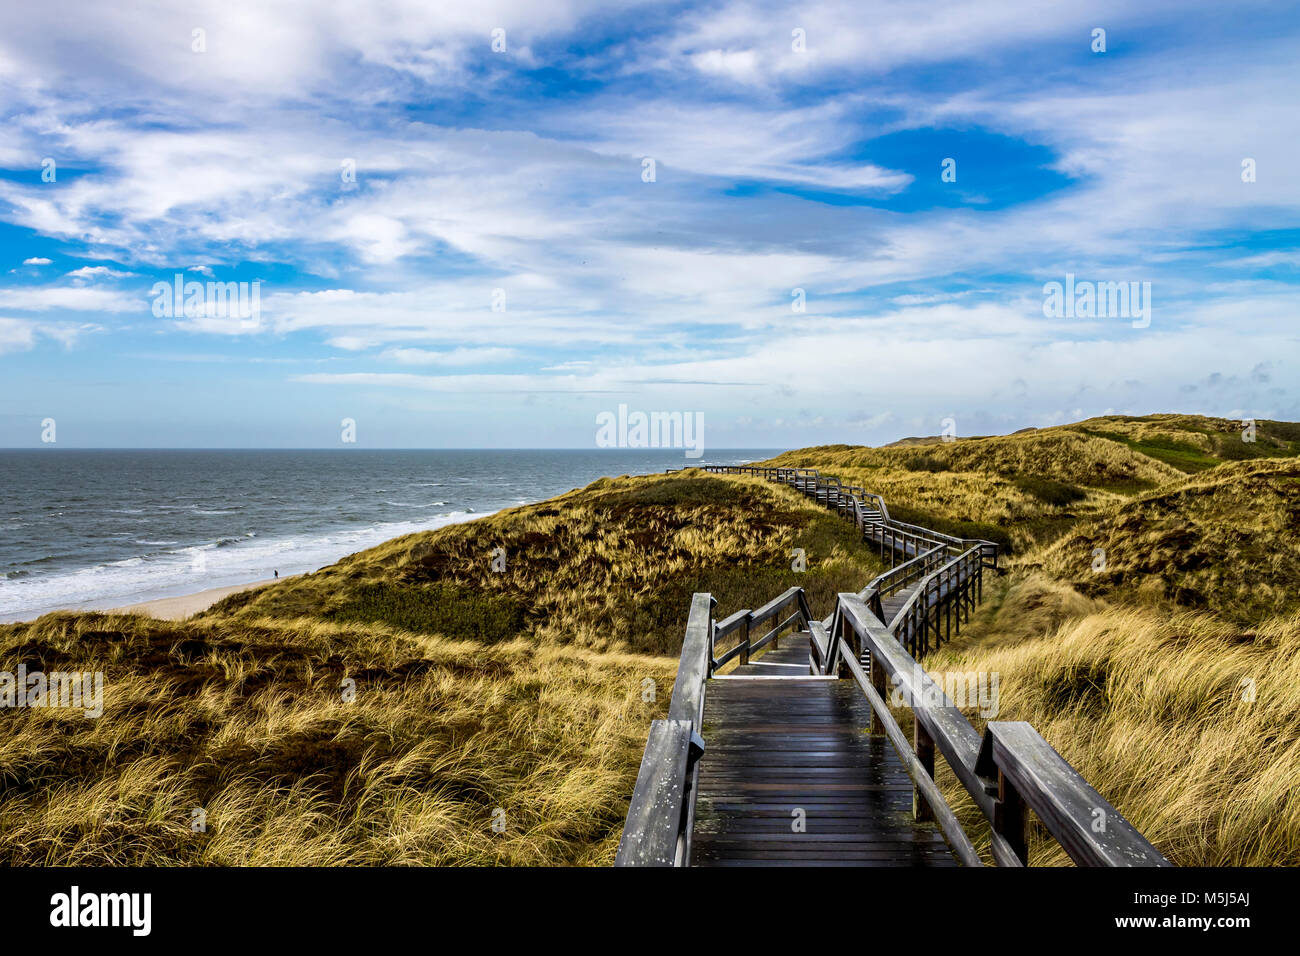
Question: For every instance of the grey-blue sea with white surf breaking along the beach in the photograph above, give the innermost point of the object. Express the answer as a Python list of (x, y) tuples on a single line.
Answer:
[(93, 530)]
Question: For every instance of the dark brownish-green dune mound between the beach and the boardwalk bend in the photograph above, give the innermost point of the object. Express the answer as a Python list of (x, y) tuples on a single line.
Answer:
[(612, 566)]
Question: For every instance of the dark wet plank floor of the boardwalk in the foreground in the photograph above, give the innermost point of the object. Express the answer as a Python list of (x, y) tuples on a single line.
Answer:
[(779, 746)]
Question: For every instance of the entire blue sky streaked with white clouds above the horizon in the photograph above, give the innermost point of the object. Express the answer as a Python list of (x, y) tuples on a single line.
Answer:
[(518, 176)]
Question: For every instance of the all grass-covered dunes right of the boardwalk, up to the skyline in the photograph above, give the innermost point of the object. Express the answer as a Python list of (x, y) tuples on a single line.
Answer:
[(1167, 672)]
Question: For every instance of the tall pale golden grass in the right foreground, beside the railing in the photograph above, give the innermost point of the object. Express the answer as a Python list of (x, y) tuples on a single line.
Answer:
[(1154, 710)]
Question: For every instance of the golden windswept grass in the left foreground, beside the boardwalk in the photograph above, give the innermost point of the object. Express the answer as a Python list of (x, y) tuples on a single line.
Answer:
[(250, 724)]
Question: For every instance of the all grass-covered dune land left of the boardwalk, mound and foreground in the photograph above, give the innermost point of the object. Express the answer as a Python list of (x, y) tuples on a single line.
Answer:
[(385, 710)]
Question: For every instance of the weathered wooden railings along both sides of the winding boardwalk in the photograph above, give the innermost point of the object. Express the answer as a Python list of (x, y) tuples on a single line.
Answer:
[(1008, 771)]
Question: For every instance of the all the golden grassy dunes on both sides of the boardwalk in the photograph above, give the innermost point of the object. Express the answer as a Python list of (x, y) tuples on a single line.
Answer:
[(1169, 678)]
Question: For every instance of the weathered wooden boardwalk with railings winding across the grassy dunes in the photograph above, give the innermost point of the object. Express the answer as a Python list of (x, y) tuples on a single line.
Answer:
[(765, 758)]
